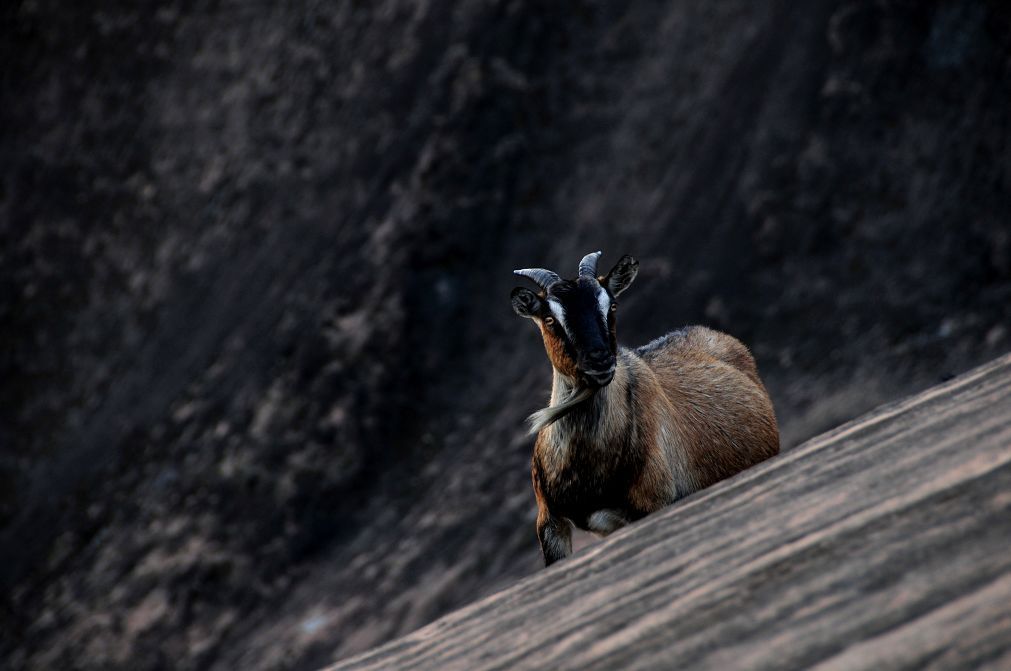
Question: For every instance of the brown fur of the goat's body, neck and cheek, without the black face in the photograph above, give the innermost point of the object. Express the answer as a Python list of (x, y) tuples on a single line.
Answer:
[(680, 416)]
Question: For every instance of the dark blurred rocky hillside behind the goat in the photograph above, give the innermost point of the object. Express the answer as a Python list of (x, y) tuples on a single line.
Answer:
[(261, 390)]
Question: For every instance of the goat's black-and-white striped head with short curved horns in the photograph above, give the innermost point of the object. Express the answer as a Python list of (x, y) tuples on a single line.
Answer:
[(577, 317)]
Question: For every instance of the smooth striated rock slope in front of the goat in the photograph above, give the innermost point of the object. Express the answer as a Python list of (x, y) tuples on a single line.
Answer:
[(881, 545)]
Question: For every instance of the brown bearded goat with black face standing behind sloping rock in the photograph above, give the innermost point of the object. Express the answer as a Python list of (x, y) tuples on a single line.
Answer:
[(630, 432)]
